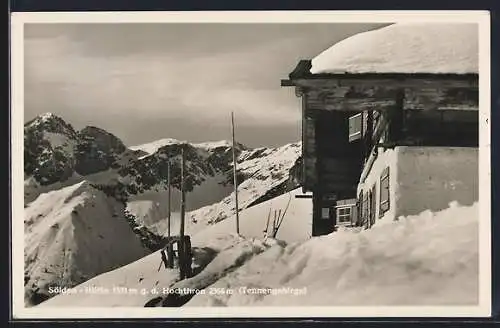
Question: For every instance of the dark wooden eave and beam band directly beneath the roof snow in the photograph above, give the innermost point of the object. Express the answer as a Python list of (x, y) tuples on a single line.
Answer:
[(361, 91)]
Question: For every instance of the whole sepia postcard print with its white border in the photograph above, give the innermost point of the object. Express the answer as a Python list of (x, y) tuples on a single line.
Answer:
[(267, 165)]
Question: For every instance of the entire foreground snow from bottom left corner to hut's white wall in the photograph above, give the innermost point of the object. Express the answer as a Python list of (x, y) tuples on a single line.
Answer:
[(429, 259)]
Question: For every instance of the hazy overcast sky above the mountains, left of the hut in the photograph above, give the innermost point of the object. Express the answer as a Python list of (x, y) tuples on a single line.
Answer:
[(144, 82)]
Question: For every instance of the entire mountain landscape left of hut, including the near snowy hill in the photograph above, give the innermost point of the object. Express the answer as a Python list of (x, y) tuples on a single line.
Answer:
[(134, 182)]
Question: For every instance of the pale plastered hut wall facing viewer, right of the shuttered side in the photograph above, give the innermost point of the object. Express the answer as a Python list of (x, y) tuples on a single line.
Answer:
[(432, 177)]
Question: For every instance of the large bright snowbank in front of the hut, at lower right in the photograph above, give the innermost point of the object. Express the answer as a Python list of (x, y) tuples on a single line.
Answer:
[(427, 259)]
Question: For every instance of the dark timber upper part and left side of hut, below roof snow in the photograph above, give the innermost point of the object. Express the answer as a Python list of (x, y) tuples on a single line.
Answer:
[(348, 119)]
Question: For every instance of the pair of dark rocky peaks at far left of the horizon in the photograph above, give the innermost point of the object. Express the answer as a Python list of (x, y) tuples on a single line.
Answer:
[(54, 151)]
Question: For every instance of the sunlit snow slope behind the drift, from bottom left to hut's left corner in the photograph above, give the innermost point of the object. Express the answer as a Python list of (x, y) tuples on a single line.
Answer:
[(209, 242)]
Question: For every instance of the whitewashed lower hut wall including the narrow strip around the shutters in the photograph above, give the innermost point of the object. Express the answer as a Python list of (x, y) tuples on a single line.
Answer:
[(425, 178)]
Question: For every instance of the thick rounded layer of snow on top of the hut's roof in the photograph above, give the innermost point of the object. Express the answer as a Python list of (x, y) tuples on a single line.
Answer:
[(448, 48)]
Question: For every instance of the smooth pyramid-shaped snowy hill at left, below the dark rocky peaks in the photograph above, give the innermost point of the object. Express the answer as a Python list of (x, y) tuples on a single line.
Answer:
[(73, 234)]
